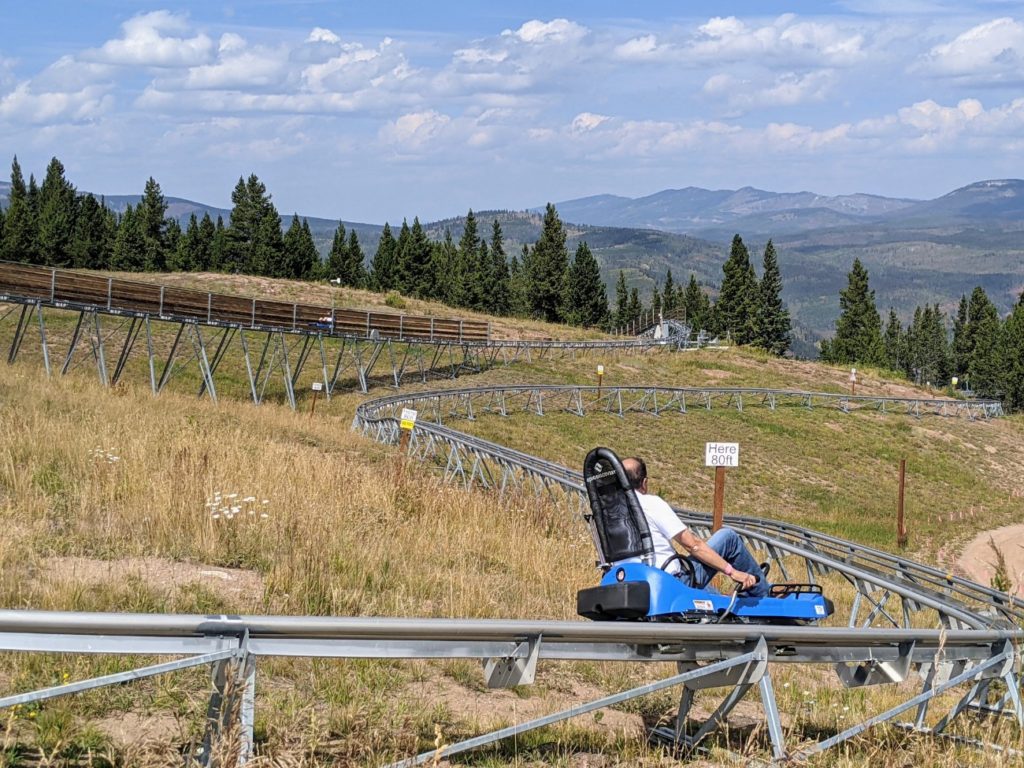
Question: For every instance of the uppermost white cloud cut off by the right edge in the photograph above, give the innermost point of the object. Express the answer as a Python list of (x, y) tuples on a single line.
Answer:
[(995, 50)]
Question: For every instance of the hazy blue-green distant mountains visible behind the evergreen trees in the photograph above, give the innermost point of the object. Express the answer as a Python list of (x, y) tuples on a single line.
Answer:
[(916, 251)]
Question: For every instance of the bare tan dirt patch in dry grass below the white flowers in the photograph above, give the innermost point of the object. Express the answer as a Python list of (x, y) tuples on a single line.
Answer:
[(159, 572)]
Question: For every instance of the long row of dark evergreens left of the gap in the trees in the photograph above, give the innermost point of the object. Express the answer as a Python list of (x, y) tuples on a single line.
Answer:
[(55, 226)]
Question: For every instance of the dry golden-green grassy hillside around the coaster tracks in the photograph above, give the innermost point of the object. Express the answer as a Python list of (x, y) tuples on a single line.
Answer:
[(115, 500)]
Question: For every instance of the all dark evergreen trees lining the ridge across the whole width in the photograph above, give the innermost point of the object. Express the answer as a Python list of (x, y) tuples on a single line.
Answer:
[(52, 224)]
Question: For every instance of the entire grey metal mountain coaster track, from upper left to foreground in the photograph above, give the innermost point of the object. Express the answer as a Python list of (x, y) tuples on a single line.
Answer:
[(905, 617)]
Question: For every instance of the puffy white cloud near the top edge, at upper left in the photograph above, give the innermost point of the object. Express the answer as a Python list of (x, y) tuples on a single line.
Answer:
[(146, 45)]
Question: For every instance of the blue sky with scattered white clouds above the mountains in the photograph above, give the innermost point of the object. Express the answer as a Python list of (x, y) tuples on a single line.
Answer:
[(373, 112)]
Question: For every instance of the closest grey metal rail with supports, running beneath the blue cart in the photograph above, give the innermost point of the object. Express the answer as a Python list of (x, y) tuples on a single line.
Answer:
[(736, 657)]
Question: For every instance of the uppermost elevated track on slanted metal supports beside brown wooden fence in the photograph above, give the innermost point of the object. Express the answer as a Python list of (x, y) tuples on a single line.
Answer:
[(270, 350)]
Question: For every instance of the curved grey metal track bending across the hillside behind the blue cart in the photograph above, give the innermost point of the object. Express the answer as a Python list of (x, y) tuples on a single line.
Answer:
[(957, 603)]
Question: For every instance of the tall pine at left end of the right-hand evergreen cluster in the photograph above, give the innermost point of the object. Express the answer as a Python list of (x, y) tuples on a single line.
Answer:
[(859, 330)]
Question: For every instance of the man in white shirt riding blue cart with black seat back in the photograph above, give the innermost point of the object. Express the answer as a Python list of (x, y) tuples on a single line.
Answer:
[(646, 579)]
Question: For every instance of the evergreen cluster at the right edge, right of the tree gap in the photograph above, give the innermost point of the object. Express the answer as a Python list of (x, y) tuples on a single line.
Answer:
[(984, 352)]
